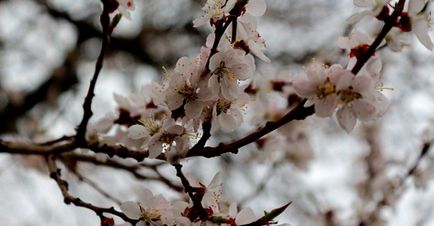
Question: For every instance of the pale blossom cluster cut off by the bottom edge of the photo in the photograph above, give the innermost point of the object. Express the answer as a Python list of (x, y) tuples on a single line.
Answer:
[(156, 210)]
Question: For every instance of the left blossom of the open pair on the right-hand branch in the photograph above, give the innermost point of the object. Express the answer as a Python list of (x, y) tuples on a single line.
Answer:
[(319, 88)]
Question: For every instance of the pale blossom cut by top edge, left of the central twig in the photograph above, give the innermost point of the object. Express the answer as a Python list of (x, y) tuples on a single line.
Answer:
[(214, 10)]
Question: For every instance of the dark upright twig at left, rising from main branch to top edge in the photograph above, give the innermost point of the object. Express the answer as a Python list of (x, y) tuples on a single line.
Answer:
[(87, 105)]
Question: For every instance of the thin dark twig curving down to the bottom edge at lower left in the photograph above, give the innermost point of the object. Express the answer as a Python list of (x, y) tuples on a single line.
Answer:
[(69, 199)]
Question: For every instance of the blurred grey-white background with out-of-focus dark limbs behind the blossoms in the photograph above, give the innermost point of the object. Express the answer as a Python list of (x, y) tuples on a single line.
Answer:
[(47, 55)]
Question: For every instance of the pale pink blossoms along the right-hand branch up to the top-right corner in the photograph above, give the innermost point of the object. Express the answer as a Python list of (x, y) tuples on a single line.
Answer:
[(359, 96)]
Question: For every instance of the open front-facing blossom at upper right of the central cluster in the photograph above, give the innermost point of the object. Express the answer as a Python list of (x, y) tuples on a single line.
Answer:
[(227, 69)]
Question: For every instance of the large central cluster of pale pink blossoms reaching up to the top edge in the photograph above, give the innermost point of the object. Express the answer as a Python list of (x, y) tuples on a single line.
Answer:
[(166, 117)]
